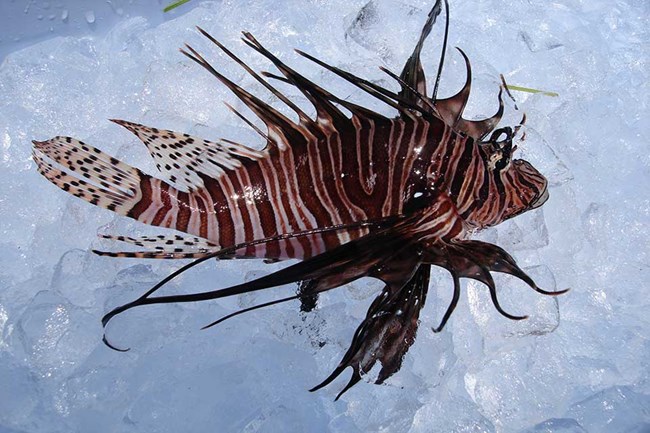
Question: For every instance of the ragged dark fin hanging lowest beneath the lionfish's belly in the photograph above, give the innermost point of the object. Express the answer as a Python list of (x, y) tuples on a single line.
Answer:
[(388, 330)]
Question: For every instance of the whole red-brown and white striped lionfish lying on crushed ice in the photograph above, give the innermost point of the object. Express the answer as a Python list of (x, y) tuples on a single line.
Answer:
[(351, 193)]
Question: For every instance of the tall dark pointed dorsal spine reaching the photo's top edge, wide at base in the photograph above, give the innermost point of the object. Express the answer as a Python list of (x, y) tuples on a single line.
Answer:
[(412, 74)]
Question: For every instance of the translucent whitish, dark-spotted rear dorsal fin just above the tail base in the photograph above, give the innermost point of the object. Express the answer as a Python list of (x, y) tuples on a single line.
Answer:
[(183, 158)]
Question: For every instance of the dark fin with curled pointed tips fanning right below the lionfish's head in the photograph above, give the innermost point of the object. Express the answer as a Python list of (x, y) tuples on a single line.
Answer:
[(475, 260)]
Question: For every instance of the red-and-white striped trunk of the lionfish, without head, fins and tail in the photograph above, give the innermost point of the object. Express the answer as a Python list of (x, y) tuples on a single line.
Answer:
[(370, 170)]
